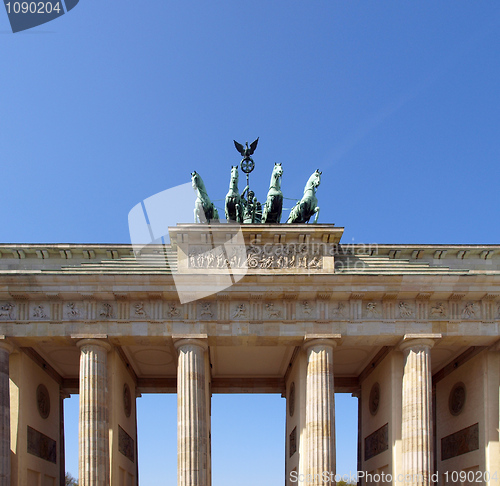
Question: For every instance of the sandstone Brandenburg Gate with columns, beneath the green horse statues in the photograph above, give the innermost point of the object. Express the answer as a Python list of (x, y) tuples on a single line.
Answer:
[(411, 330)]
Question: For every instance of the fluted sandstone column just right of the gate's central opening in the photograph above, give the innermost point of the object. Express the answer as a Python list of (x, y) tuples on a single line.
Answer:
[(320, 410)]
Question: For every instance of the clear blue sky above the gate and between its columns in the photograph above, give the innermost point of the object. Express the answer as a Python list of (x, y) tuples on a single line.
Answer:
[(396, 101)]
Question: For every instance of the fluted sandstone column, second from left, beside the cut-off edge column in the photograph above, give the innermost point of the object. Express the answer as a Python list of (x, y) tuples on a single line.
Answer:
[(94, 426)]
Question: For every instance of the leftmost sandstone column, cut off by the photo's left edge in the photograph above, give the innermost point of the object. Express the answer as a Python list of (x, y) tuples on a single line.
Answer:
[(5, 351)]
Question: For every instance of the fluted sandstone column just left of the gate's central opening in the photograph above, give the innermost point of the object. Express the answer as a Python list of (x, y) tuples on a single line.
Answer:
[(192, 440)]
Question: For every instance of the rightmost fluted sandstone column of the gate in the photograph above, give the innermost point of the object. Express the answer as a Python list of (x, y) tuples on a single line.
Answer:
[(417, 412)]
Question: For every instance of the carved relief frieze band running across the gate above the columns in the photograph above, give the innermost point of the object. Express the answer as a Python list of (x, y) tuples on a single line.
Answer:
[(254, 309)]
